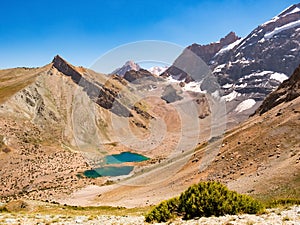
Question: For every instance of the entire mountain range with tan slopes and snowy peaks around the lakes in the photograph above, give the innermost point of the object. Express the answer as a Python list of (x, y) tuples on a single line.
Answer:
[(60, 120)]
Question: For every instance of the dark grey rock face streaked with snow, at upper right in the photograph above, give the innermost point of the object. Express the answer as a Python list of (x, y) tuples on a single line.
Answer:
[(272, 46)]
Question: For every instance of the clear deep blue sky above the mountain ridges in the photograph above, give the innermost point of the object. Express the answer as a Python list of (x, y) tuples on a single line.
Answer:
[(32, 32)]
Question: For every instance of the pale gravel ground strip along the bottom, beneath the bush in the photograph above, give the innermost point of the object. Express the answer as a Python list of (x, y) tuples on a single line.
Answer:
[(272, 217)]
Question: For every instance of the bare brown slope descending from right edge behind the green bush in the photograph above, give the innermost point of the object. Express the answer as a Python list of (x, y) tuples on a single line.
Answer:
[(260, 157)]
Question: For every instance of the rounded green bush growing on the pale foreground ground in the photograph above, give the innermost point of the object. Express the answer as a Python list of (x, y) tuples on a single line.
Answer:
[(204, 199)]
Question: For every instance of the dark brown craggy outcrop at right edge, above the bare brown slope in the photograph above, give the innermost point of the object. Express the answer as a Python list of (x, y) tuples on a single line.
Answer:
[(287, 91)]
